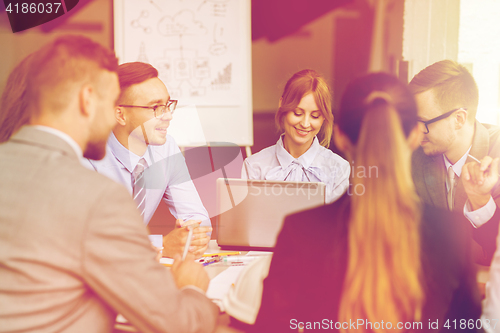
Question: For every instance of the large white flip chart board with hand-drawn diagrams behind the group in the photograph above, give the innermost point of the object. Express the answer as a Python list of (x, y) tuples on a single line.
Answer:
[(202, 50)]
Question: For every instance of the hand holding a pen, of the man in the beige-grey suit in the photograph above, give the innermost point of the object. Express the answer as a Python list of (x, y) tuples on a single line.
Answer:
[(189, 273)]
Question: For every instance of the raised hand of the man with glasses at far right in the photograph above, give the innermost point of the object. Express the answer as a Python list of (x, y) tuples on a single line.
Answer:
[(479, 179)]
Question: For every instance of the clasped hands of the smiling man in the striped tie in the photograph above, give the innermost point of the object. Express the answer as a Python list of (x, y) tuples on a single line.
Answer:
[(174, 242)]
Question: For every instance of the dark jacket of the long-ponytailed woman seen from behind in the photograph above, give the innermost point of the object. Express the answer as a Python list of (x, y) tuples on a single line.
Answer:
[(310, 262)]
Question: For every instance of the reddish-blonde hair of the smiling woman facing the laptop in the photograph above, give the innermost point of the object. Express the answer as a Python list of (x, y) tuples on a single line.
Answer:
[(300, 84)]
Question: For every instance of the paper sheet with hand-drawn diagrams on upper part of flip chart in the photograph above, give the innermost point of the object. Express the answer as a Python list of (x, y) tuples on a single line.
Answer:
[(195, 45)]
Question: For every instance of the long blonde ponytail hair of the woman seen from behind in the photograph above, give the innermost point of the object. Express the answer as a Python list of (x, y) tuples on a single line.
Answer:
[(383, 279)]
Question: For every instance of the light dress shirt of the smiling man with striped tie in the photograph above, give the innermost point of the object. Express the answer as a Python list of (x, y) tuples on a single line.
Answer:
[(167, 177)]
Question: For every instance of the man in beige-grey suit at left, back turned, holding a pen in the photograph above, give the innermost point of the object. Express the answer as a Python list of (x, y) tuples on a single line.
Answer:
[(73, 248)]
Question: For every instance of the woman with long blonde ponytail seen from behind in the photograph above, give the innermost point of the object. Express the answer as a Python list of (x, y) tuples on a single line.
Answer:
[(377, 259)]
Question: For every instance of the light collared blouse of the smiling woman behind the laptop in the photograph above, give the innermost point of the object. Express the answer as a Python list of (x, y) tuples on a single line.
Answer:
[(317, 164)]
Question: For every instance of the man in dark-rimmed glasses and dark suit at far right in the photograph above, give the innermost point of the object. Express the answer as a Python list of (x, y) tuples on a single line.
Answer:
[(447, 99)]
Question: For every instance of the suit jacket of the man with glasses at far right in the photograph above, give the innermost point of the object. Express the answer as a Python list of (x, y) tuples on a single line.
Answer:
[(429, 174)]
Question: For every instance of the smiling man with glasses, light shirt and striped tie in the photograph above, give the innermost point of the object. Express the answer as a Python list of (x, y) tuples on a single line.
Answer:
[(141, 156)]
